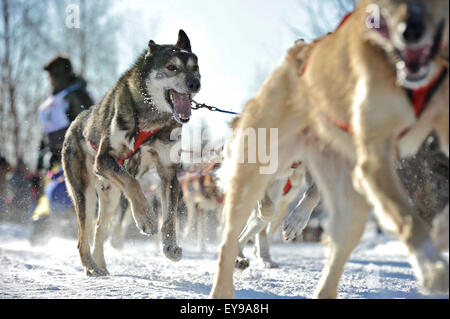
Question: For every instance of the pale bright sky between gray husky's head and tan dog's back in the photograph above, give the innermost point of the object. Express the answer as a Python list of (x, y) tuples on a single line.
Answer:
[(237, 42)]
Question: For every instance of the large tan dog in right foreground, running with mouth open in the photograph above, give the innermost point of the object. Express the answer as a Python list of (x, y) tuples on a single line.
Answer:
[(340, 106)]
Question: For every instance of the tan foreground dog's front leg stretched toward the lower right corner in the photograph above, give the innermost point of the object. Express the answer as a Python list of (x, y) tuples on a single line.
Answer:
[(375, 177)]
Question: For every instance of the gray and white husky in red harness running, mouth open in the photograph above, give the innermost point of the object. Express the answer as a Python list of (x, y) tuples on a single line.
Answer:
[(129, 132)]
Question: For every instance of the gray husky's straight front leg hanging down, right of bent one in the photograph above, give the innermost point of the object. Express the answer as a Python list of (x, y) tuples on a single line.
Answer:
[(169, 199)]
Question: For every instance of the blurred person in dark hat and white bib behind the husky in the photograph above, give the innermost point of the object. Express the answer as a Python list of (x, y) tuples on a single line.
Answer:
[(68, 99)]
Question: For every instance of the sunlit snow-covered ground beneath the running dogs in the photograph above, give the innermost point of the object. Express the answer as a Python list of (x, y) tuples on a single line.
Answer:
[(378, 268)]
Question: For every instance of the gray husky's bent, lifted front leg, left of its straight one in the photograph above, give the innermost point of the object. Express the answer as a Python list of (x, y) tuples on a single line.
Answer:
[(109, 168)]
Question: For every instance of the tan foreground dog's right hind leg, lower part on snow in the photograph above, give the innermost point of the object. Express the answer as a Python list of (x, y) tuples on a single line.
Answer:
[(348, 212)]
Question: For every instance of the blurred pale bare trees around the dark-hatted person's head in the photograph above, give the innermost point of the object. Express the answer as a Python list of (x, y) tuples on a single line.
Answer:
[(32, 32)]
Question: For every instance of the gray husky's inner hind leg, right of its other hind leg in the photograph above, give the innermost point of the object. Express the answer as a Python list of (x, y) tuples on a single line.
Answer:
[(108, 197)]
